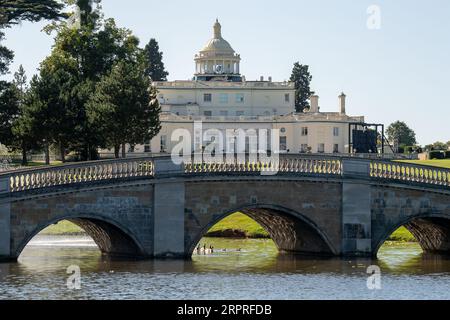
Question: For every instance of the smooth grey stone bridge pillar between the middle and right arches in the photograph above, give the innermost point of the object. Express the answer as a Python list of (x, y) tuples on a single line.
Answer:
[(356, 209)]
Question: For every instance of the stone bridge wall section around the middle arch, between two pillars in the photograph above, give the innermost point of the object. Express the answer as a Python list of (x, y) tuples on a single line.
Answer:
[(284, 208)]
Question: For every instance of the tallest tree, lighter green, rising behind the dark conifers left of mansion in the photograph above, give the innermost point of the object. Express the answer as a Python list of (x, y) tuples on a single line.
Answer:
[(93, 46)]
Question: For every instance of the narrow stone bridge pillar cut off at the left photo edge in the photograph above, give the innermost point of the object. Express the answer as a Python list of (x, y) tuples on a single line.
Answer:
[(5, 219)]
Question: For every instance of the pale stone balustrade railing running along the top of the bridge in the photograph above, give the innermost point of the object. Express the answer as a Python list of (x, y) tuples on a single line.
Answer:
[(311, 165)]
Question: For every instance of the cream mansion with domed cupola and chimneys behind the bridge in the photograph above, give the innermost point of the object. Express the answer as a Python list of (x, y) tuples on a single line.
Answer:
[(220, 97)]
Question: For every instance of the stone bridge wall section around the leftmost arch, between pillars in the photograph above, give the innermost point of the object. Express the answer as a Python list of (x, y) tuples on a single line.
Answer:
[(119, 219)]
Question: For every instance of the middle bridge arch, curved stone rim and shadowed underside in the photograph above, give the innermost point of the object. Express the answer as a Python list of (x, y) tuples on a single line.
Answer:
[(291, 231)]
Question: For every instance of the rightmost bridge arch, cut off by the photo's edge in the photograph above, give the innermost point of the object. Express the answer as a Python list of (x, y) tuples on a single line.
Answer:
[(432, 232)]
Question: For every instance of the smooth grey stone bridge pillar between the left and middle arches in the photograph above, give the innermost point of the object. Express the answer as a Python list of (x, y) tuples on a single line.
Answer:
[(168, 208)]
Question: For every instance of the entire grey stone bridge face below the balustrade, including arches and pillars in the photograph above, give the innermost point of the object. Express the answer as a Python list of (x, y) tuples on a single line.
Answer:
[(166, 216)]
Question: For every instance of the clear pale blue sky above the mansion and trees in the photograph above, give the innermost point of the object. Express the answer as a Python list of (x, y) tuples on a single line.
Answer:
[(391, 58)]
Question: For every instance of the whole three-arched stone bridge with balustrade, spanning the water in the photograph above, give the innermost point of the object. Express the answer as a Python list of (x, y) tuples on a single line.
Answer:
[(150, 207)]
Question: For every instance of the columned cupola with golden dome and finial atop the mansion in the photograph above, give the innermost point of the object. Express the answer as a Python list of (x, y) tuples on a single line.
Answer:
[(217, 60)]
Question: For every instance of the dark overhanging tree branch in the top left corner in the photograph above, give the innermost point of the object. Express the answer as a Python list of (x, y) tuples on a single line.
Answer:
[(15, 11)]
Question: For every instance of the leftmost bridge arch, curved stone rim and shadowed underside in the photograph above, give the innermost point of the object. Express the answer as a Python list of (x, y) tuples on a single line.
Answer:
[(112, 238)]
